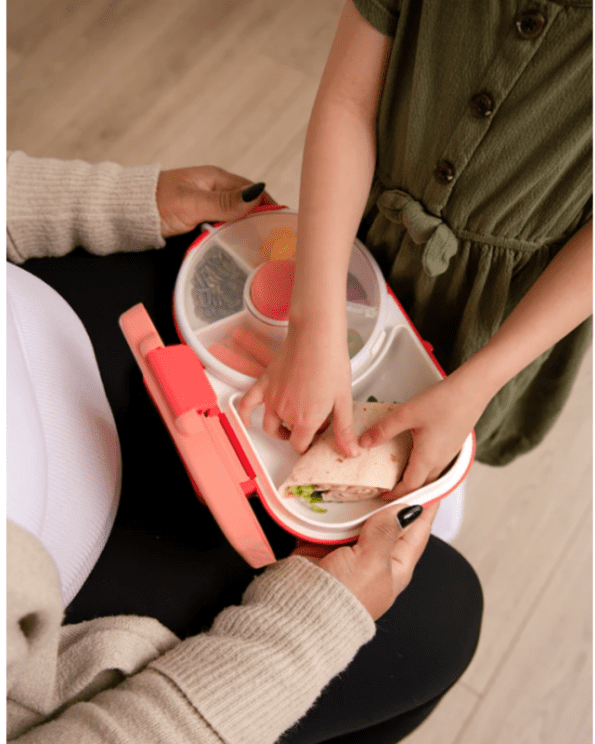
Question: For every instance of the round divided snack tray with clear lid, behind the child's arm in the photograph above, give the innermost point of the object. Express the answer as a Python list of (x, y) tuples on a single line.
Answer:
[(211, 296)]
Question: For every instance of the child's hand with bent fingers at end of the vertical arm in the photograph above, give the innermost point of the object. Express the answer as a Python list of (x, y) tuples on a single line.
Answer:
[(309, 379)]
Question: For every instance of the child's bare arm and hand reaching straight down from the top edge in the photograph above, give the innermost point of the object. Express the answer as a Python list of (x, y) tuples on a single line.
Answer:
[(311, 376)]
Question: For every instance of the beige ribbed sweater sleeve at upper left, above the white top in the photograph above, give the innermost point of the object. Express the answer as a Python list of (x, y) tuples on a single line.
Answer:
[(54, 206)]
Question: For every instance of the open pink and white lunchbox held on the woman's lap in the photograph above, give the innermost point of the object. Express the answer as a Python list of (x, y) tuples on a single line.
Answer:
[(197, 389)]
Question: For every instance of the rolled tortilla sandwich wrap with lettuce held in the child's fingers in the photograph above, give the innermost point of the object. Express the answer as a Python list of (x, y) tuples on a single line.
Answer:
[(325, 470)]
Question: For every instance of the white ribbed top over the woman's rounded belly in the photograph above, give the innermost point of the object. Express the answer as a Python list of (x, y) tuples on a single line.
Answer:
[(63, 453)]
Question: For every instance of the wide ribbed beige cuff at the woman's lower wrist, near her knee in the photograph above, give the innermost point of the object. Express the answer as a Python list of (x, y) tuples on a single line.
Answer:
[(262, 665)]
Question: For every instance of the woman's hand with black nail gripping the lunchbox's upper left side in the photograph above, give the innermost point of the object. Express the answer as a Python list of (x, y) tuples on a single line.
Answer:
[(188, 196)]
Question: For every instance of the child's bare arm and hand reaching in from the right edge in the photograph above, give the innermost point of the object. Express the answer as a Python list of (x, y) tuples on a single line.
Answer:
[(442, 416)]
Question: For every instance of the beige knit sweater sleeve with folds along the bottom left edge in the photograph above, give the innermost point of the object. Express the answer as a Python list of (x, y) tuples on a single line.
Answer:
[(255, 673)]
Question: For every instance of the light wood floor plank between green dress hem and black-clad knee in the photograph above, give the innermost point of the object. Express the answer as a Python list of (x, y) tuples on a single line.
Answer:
[(518, 519)]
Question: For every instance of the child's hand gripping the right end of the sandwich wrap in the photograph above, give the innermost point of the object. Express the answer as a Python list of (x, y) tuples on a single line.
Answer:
[(440, 418)]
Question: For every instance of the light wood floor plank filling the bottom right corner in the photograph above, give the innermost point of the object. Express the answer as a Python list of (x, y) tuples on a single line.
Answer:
[(542, 694)]
